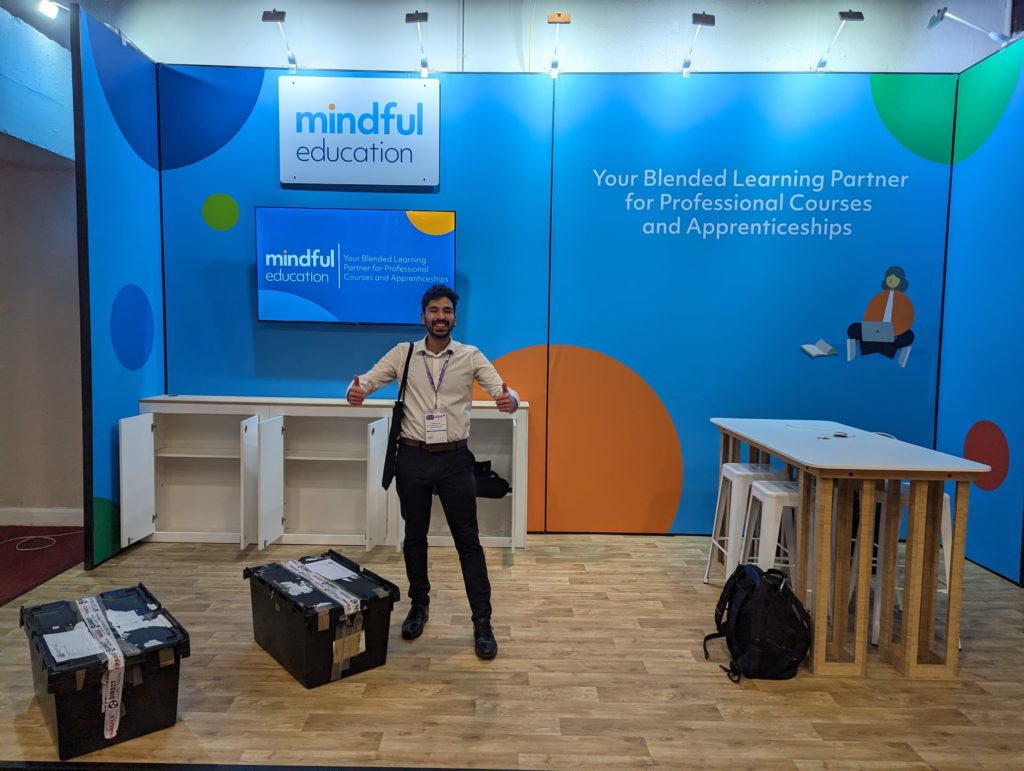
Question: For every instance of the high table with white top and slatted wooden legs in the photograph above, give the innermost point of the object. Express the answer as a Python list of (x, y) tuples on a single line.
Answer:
[(832, 462)]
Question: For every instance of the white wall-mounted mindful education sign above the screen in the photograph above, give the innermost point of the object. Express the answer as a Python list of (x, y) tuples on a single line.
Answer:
[(360, 132)]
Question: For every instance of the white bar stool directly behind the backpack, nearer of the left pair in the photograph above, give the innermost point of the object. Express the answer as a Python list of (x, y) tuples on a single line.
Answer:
[(773, 513)]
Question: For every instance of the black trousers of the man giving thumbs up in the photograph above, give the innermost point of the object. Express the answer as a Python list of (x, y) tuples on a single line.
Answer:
[(417, 474)]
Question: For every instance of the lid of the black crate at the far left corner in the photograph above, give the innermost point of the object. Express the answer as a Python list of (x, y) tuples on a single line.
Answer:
[(139, 623)]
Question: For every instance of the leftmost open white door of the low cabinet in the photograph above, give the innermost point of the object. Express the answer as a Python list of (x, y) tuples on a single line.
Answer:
[(139, 477)]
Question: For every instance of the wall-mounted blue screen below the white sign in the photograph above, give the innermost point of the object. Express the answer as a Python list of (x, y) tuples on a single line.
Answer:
[(351, 266)]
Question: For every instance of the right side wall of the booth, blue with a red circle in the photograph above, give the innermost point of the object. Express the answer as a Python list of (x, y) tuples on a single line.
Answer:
[(983, 368)]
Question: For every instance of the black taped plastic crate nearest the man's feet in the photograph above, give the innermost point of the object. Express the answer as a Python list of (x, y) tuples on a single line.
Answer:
[(318, 637)]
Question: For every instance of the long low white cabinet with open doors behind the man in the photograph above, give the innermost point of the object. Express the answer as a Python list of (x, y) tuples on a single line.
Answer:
[(249, 470)]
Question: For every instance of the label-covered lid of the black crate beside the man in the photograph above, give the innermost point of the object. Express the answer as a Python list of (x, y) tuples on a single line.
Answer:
[(329, 581)]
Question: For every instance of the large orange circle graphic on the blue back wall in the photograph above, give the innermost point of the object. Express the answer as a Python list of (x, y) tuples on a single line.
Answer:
[(613, 460)]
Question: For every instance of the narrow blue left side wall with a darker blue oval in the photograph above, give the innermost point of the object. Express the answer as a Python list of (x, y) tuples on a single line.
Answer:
[(119, 225)]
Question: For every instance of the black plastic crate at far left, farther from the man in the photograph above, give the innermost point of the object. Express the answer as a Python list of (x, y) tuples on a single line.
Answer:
[(70, 687)]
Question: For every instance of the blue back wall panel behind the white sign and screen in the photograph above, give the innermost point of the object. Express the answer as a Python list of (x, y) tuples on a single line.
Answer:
[(220, 142)]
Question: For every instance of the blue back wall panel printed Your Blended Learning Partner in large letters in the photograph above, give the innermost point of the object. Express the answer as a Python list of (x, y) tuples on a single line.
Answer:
[(704, 231)]
